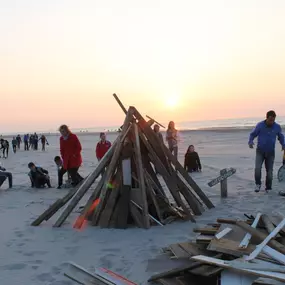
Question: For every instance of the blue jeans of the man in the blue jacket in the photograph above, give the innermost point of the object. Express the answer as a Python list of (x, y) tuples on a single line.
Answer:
[(268, 158)]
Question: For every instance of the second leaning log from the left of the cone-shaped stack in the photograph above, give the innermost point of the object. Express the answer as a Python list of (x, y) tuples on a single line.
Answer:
[(86, 185)]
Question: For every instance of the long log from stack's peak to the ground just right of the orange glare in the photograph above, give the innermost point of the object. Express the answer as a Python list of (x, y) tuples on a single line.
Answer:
[(111, 168)]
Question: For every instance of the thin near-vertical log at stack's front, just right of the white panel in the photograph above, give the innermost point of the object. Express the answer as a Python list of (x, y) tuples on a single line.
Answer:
[(141, 178)]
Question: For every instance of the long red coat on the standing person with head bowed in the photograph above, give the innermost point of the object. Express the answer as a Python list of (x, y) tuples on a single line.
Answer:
[(70, 150)]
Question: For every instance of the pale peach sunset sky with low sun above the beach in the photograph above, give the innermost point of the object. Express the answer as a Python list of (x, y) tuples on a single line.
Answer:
[(182, 60)]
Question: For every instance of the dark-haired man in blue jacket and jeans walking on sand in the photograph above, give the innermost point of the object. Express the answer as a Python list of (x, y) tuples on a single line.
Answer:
[(266, 132)]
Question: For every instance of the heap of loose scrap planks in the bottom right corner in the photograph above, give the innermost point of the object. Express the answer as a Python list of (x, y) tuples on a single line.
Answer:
[(230, 252)]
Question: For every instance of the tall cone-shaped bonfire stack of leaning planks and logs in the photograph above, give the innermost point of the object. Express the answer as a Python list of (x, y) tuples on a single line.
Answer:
[(129, 191)]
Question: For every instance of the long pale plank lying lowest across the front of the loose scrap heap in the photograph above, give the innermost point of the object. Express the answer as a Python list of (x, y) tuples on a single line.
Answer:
[(227, 265)]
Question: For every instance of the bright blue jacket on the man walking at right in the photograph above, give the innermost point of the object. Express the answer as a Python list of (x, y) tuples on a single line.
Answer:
[(267, 136)]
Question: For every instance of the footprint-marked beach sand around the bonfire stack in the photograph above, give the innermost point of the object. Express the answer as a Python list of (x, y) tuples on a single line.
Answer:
[(38, 255)]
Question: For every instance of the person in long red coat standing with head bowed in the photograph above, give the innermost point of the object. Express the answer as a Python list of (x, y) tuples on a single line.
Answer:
[(70, 150)]
